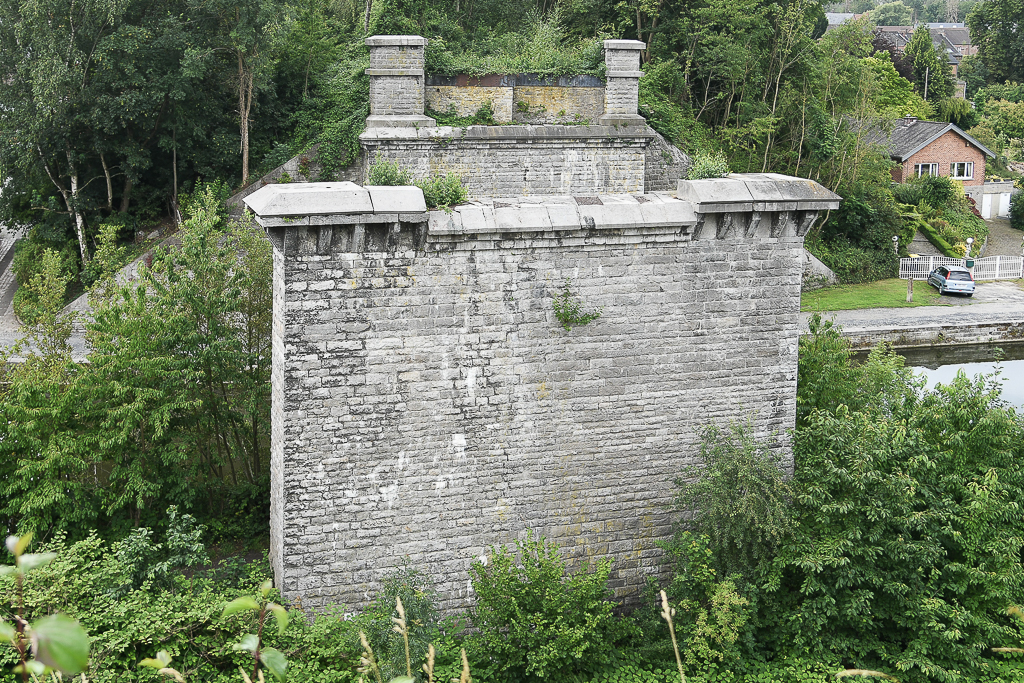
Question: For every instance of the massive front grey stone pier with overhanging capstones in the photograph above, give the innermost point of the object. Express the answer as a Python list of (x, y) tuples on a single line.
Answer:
[(428, 404)]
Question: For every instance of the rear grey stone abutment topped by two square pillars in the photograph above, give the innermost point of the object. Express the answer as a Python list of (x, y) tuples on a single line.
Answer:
[(616, 156)]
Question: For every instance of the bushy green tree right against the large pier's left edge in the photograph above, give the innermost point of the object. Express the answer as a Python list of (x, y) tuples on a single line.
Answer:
[(180, 372)]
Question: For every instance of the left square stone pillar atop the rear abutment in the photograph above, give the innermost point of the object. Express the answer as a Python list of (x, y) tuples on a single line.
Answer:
[(397, 82)]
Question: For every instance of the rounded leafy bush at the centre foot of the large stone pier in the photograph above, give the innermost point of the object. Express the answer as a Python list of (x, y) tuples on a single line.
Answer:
[(539, 620)]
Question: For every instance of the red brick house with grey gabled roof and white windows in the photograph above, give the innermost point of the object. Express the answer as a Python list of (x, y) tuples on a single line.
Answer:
[(934, 148)]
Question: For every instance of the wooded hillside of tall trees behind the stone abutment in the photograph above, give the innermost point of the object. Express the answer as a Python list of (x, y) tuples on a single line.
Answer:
[(117, 109)]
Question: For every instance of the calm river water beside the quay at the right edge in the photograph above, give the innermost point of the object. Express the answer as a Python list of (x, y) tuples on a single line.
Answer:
[(941, 365)]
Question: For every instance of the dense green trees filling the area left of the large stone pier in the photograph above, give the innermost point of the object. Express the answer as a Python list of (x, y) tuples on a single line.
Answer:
[(172, 408)]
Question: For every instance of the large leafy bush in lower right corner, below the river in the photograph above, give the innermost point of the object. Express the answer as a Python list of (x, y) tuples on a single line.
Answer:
[(907, 551)]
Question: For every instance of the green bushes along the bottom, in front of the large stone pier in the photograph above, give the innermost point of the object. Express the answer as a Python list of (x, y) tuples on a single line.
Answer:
[(895, 546)]
